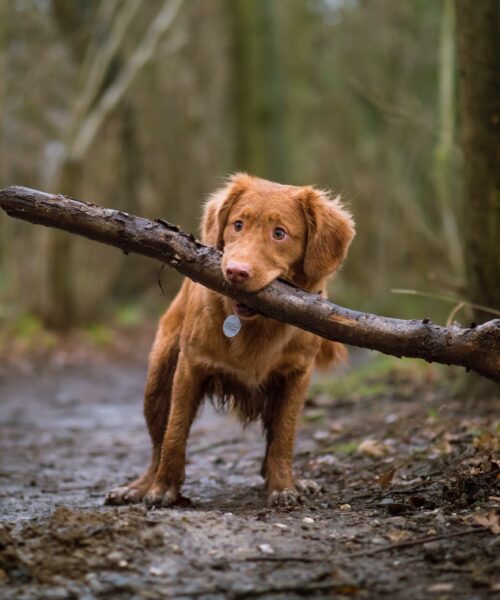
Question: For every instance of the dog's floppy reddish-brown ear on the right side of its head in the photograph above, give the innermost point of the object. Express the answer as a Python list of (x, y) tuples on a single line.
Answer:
[(330, 229)]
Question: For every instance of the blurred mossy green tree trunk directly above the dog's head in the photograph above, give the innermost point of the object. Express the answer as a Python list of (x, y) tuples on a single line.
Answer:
[(259, 90)]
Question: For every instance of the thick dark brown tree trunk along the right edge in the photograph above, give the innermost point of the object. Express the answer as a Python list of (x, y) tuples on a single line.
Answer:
[(479, 56)]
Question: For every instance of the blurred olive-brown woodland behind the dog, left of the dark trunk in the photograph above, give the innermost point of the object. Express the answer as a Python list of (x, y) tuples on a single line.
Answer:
[(357, 96)]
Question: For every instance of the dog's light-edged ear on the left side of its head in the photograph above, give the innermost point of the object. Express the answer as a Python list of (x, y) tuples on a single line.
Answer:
[(219, 206)]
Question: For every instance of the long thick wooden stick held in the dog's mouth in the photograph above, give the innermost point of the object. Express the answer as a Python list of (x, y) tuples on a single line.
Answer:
[(476, 348)]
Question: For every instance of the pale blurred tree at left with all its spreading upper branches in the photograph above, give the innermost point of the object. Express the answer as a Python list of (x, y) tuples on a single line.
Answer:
[(105, 81)]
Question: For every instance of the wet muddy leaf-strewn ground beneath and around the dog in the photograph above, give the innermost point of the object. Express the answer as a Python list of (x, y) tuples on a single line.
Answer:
[(409, 507)]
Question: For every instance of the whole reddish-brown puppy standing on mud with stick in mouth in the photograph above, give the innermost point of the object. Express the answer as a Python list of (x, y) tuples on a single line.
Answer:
[(265, 231)]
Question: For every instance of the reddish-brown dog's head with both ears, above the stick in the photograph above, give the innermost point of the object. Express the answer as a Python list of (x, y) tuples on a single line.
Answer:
[(267, 230)]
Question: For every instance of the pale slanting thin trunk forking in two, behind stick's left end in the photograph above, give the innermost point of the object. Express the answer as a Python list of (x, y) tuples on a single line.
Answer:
[(95, 104)]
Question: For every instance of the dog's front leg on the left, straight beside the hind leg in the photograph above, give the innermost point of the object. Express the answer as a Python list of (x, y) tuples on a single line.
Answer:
[(186, 397)]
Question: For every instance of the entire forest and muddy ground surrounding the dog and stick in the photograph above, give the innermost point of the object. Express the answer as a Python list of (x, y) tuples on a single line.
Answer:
[(145, 106)]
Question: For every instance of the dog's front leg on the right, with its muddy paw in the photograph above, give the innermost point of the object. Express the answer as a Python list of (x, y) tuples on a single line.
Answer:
[(281, 426)]
